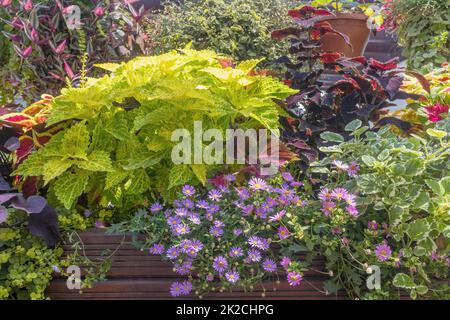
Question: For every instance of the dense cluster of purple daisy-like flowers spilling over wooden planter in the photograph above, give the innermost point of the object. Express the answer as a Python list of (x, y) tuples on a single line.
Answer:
[(225, 236)]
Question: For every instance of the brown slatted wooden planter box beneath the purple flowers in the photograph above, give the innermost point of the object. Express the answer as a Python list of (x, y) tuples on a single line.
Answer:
[(135, 274)]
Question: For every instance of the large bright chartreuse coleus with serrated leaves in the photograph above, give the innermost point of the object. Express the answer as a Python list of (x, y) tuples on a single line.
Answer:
[(116, 147)]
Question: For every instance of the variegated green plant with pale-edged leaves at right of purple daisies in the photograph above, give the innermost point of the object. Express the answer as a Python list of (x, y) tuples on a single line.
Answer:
[(402, 225)]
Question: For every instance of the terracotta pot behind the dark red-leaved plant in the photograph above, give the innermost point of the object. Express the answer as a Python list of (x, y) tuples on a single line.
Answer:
[(355, 27)]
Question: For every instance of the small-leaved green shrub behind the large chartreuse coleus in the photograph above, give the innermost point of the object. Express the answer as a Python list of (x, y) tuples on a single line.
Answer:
[(238, 28)]
